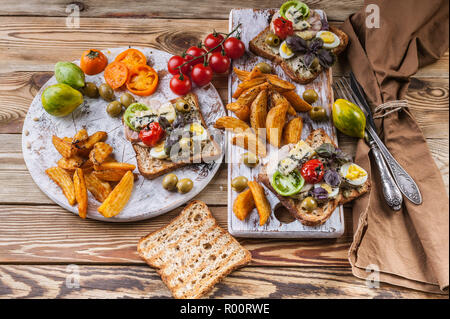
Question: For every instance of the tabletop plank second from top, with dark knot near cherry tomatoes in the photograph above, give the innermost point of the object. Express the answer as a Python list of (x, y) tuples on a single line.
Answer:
[(22, 39)]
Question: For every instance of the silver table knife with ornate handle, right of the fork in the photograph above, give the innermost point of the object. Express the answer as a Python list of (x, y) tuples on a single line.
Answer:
[(405, 182)]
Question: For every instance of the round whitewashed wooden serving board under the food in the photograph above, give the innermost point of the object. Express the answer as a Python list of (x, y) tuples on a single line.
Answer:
[(148, 199)]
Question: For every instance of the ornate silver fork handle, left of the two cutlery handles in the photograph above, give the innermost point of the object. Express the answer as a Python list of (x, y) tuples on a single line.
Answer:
[(391, 192)]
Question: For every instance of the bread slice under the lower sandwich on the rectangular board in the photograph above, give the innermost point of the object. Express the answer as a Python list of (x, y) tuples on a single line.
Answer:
[(322, 213)]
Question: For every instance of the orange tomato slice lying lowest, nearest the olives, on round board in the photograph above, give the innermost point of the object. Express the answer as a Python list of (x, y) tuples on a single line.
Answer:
[(142, 80)]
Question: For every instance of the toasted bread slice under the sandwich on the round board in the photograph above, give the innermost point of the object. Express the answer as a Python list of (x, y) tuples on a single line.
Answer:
[(151, 168)]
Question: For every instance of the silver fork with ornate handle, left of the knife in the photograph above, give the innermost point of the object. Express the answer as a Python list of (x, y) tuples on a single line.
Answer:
[(391, 192)]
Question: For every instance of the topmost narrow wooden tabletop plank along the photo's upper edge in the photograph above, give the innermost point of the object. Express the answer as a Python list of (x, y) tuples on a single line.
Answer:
[(159, 9)]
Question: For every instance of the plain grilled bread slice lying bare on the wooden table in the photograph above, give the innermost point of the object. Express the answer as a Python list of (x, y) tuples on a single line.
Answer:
[(193, 252)]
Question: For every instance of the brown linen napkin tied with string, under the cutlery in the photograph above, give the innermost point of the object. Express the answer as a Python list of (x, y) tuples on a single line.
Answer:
[(410, 247)]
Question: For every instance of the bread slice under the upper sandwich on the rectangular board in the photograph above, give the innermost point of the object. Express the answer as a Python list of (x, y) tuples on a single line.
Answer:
[(303, 76)]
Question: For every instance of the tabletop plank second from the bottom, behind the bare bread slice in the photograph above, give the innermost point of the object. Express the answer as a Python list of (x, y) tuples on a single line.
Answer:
[(50, 234)]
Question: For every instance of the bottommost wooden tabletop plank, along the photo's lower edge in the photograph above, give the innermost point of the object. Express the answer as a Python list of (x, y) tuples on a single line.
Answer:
[(44, 281)]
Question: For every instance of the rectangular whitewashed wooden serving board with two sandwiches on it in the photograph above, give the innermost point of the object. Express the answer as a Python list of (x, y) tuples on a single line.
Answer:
[(252, 22)]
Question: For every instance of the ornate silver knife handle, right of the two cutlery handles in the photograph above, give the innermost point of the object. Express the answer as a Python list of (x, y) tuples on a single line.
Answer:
[(404, 181)]
